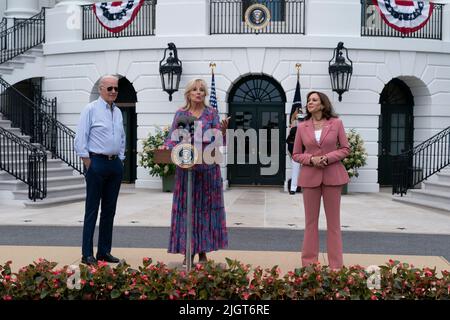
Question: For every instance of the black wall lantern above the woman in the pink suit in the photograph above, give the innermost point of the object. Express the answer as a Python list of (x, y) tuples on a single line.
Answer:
[(340, 71)]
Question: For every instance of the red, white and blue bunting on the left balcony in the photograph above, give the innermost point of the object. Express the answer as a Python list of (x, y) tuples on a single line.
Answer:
[(116, 15)]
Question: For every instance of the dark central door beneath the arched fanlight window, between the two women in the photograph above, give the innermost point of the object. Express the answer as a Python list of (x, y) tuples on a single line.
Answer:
[(268, 117)]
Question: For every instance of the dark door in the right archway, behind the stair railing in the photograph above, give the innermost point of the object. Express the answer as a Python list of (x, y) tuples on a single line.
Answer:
[(395, 137)]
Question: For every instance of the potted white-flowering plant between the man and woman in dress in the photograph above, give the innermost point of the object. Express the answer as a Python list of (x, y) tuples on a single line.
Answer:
[(165, 171)]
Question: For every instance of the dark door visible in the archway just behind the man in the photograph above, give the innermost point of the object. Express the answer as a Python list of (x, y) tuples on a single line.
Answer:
[(129, 123)]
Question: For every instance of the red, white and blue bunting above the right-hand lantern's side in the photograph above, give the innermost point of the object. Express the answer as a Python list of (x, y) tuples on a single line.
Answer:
[(405, 15)]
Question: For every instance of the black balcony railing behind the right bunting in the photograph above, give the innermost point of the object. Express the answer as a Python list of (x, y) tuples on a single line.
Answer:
[(373, 25)]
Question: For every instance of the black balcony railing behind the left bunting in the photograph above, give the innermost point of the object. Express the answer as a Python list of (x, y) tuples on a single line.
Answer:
[(142, 25)]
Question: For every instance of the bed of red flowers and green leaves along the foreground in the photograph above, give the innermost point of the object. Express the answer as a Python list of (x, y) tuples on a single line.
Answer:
[(235, 281)]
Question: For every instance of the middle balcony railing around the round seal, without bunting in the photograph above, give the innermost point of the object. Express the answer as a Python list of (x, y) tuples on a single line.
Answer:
[(228, 17)]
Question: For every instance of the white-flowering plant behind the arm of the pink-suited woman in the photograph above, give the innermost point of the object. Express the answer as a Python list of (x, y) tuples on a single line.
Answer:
[(357, 156)]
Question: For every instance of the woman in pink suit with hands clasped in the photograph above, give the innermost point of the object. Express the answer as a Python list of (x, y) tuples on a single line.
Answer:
[(320, 145)]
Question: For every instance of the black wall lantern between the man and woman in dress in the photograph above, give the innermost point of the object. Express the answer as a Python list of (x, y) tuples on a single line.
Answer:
[(170, 71)]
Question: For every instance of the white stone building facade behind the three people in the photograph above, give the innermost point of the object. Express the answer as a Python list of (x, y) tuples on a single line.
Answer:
[(72, 67)]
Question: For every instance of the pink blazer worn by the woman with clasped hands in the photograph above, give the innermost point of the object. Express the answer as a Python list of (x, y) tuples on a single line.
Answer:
[(306, 146)]
